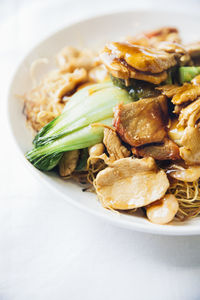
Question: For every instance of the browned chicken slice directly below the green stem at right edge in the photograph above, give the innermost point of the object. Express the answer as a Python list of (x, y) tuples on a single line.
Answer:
[(182, 94)]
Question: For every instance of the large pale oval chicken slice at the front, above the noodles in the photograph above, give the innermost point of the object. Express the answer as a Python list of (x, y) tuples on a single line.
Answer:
[(130, 183)]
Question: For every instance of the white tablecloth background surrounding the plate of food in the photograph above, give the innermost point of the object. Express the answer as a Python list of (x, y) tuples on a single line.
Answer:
[(50, 250)]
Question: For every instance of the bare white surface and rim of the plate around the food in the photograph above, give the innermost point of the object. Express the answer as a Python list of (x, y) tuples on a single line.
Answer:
[(94, 33)]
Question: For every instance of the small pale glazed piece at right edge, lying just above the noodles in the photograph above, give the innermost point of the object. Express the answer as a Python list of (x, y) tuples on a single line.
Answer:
[(184, 173)]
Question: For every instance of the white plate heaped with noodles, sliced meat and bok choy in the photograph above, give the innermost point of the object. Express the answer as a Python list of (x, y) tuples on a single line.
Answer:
[(106, 112)]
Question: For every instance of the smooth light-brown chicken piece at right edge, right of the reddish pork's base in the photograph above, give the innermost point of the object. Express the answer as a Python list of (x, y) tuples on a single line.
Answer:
[(190, 150)]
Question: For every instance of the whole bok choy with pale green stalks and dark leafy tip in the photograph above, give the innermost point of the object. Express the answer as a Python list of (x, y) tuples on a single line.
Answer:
[(74, 128)]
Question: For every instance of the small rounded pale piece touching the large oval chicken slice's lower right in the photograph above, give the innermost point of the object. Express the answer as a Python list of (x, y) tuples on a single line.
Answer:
[(164, 210)]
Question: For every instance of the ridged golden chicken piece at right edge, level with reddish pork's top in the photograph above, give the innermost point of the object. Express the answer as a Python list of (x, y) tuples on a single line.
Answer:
[(190, 114)]
